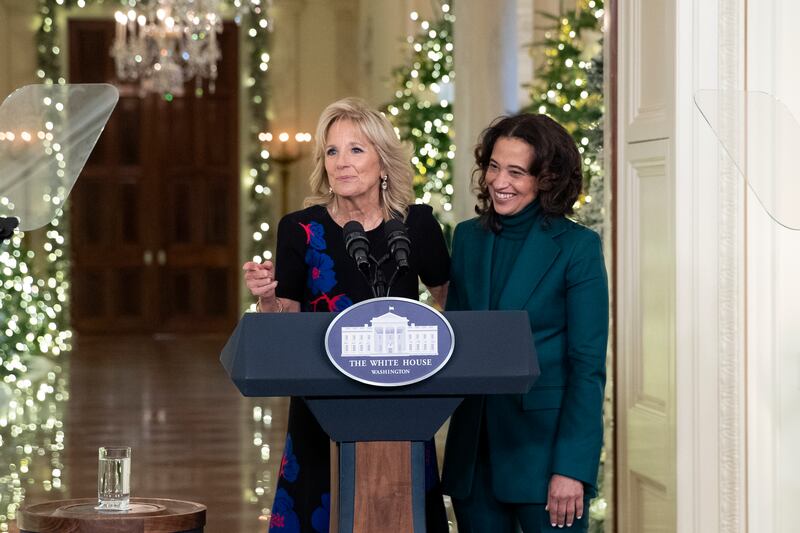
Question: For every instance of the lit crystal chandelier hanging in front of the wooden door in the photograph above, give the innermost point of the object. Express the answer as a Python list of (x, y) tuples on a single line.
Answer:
[(165, 43)]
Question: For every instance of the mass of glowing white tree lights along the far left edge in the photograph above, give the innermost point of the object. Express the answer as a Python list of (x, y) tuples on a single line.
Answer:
[(31, 385)]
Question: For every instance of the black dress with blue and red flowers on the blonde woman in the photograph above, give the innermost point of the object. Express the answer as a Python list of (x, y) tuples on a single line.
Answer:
[(313, 268)]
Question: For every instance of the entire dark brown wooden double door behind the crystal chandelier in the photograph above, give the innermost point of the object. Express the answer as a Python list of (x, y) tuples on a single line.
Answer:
[(155, 211)]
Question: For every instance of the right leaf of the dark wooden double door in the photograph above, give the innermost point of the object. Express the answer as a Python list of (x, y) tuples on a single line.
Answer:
[(198, 168)]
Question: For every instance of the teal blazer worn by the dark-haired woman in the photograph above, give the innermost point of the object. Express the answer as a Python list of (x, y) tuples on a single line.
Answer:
[(559, 277)]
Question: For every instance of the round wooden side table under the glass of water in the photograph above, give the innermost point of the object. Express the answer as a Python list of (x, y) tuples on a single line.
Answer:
[(146, 515)]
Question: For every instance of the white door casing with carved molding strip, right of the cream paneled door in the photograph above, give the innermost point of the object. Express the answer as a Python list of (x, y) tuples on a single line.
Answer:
[(711, 357)]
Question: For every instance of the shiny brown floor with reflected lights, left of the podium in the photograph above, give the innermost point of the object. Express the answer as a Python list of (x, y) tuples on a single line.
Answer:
[(194, 437)]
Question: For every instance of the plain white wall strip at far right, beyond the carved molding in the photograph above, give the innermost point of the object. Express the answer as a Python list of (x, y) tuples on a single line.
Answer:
[(773, 282)]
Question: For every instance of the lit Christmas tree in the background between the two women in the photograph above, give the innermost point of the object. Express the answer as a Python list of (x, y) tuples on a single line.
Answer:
[(422, 111)]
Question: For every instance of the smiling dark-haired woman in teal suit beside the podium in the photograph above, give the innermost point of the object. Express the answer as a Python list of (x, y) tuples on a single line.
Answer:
[(531, 460)]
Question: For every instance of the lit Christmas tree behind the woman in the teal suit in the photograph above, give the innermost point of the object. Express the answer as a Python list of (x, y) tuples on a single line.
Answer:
[(569, 88)]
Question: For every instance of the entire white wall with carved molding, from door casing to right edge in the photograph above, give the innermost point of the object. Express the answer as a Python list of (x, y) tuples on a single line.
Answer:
[(738, 357)]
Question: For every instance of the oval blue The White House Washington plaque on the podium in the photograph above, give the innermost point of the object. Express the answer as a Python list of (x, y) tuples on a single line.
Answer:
[(389, 342)]
